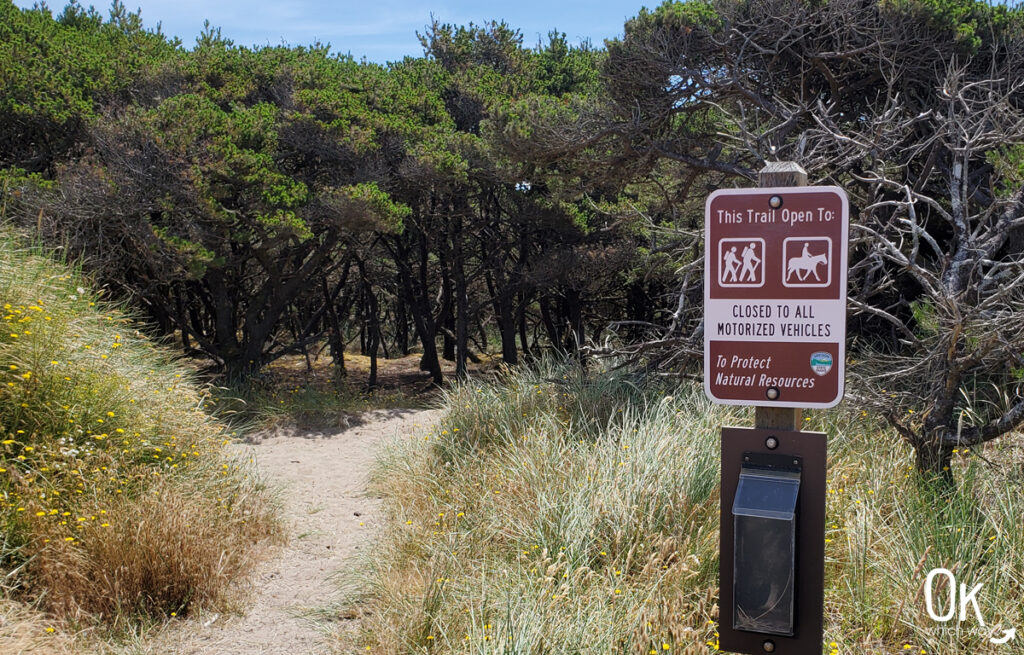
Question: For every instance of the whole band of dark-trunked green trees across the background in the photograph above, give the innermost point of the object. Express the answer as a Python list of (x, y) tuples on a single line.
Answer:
[(529, 199)]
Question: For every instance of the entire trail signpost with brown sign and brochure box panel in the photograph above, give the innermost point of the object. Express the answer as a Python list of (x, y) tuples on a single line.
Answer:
[(775, 338)]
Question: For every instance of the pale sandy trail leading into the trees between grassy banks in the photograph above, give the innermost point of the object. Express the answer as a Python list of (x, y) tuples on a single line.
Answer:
[(323, 476)]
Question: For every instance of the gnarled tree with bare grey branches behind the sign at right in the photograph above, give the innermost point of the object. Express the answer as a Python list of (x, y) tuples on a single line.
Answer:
[(916, 109)]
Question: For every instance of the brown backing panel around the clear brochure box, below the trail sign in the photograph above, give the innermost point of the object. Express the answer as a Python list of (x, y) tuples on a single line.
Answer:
[(810, 450)]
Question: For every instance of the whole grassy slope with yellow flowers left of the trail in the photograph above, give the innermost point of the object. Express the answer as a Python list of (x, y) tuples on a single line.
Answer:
[(119, 503)]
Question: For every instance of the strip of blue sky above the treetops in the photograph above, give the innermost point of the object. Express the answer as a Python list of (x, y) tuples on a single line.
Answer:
[(379, 30)]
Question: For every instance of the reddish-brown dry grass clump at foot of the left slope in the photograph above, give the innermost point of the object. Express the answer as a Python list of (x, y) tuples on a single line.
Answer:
[(164, 553)]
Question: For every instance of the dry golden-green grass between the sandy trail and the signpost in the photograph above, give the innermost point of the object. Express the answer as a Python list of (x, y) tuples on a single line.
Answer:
[(540, 518)]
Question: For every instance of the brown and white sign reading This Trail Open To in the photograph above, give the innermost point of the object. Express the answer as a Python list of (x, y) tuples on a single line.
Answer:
[(776, 296)]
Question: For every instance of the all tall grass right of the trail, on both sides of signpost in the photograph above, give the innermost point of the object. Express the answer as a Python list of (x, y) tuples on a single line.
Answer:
[(553, 512)]
